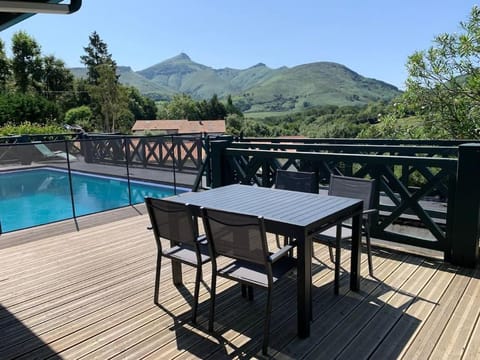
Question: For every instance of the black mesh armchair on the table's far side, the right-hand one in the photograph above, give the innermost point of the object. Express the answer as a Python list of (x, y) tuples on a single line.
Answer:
[(356, 188)]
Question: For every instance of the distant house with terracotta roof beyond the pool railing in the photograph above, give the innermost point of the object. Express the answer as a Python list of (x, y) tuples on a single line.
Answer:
[(178, 126)]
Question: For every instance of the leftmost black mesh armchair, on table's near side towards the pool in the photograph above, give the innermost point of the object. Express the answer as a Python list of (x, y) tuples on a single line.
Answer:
[(174, 222)]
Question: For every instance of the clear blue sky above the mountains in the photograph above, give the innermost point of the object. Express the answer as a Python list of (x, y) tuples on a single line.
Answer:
[(372, 37)]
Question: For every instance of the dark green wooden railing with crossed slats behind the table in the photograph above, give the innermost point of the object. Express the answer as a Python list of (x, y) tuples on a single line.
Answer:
[(423, 190)]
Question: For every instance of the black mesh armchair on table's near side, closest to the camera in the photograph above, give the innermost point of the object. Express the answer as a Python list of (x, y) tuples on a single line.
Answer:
[(242, 238)]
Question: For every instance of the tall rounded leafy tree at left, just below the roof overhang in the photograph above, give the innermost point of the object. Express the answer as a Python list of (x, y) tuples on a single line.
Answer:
[(26, 62)]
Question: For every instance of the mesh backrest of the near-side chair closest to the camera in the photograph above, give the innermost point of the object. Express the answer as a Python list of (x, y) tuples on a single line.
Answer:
[(237, 236)]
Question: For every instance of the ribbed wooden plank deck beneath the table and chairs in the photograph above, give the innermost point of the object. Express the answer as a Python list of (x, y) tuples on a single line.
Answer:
[(88, 295)]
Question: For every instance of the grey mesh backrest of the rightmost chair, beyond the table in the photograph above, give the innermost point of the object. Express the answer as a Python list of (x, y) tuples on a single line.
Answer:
[(356, 188)]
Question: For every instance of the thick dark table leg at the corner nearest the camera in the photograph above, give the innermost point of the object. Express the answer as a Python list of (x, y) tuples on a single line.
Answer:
[(304, 285)]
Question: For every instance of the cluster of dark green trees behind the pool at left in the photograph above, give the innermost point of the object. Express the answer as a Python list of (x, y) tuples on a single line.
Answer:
[(40, 89)]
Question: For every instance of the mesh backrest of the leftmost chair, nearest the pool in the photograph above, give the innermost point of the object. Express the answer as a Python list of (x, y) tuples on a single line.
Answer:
[(171, 221)]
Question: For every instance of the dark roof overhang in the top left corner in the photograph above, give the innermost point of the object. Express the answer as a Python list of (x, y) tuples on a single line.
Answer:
[(13, 12)]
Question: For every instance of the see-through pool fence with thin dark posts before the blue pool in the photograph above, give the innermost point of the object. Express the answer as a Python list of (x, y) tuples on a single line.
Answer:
[(48, 181)]
